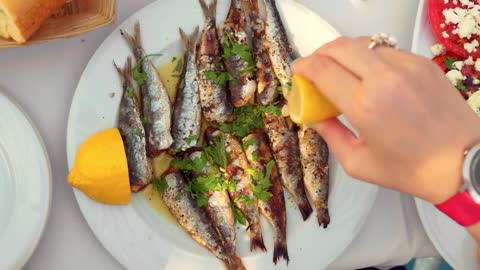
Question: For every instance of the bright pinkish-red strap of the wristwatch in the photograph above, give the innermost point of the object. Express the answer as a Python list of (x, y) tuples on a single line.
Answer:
[(461, 208)]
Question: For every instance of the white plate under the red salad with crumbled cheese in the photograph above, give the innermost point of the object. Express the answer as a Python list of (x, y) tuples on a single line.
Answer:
[(451, 240)]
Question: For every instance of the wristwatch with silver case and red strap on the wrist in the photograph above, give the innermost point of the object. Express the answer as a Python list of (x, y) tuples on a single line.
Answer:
[(464, 207)]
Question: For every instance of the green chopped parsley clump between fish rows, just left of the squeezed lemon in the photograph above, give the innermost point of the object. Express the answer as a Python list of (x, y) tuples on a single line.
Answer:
[(247, 119)]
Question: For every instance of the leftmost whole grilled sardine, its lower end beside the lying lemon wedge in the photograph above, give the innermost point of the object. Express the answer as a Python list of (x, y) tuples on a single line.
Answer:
[(133, 134)]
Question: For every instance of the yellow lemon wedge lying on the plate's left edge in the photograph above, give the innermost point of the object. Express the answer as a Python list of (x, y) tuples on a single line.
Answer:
[(101, 169)]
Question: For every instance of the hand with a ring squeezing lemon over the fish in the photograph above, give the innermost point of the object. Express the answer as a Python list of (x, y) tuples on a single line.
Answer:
[(413, 125)]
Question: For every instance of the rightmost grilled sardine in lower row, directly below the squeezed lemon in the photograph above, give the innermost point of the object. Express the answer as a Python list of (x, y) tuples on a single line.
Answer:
[(314, 157)]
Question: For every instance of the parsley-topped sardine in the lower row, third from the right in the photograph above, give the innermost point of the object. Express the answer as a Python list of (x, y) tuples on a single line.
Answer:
[(259, 155)]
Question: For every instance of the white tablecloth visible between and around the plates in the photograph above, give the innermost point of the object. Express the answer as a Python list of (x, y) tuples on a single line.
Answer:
[(43, 79)]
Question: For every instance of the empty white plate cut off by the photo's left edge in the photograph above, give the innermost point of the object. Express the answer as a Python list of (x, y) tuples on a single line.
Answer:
[(25, 185)]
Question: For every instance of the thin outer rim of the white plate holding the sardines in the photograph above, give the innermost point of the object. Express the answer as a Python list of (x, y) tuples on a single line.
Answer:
[(80, 196)]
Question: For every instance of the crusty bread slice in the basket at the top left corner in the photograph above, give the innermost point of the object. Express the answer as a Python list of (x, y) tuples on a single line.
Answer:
[(20, 19)]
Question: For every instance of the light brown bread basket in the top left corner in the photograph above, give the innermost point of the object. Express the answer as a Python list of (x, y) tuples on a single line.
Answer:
[(75, 18)]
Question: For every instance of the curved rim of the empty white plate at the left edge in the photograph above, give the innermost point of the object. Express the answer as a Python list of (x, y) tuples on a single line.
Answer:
[(45, 216)]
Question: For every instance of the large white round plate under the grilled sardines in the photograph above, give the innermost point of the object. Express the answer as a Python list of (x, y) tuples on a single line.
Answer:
[(136, 235)]
